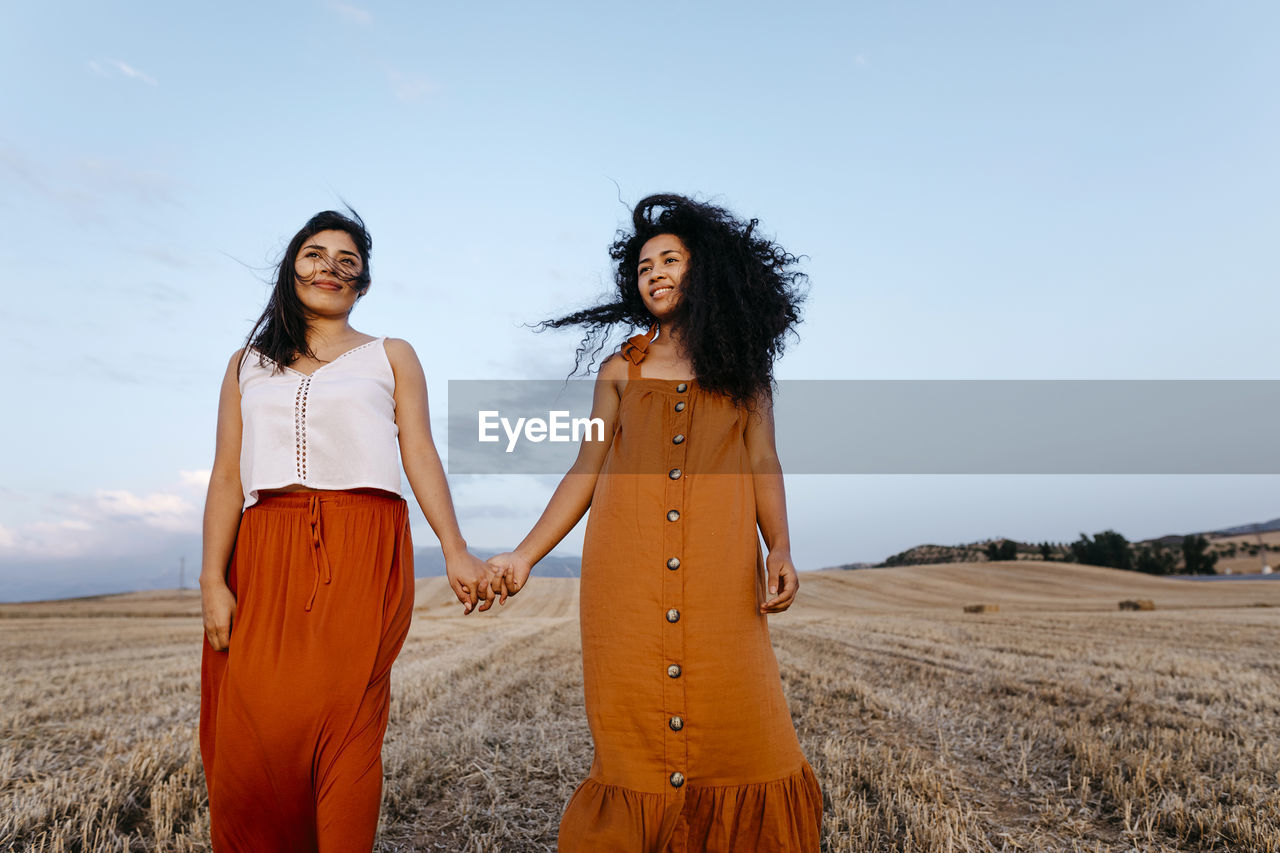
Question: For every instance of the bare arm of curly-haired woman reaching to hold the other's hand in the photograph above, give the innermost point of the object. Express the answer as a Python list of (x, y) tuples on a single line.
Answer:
[(573, 498)]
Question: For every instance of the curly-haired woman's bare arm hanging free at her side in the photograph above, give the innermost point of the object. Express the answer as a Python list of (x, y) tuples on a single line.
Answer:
[(771, 507)]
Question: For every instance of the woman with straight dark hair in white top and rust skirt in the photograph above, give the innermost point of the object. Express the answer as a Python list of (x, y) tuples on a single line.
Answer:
[(308, 577)]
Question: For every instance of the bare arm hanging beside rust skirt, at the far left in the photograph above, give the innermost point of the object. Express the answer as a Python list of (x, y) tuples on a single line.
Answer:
[(223, 505)]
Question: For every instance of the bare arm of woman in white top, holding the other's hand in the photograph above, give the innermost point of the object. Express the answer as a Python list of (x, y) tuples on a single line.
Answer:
[(468, 576)]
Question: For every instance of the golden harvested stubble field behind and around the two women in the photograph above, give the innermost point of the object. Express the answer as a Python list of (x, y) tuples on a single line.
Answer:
[(1055, 724)]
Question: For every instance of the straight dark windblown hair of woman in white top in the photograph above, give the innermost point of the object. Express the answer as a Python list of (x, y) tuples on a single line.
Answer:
[(281, 332)]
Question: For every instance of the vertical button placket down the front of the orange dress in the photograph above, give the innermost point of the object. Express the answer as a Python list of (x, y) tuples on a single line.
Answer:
[(674, 568)]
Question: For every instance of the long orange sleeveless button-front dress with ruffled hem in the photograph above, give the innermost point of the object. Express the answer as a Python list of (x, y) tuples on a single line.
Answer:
[(694, 745)]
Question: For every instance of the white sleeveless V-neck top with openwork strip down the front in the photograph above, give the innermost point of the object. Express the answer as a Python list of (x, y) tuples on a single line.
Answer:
[(333, 430)]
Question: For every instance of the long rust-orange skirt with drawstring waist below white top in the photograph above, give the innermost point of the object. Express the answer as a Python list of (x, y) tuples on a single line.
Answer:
[(292, 715)]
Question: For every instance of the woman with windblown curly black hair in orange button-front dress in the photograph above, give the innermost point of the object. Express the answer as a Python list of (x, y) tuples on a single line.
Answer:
[(694, 746)]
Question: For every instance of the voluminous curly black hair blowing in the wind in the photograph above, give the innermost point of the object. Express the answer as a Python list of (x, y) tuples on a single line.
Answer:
[(740, 295)]
